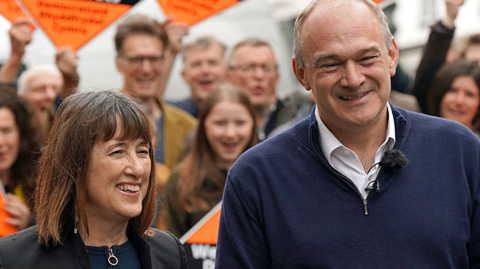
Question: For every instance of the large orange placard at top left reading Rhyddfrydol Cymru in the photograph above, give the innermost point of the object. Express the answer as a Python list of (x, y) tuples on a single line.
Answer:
[(73, 22)]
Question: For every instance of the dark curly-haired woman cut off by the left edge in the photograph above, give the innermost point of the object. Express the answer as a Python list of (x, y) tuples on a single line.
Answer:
[(19, 150)]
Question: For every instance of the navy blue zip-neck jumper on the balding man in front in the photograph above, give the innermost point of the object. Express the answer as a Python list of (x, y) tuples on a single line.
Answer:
[(285, 207)]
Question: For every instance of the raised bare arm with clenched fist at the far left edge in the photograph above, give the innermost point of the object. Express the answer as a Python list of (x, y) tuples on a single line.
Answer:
[(20, 36)]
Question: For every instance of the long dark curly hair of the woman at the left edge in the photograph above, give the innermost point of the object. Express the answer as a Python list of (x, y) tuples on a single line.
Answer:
[(21, 172)]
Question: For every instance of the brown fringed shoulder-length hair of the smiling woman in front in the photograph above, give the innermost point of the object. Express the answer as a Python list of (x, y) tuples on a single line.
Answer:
[(82, 120)]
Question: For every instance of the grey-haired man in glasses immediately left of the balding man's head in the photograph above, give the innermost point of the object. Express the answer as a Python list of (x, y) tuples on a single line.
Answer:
[(253, 67)]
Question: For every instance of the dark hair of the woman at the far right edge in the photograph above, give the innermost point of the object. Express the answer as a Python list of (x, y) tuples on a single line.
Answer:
[(443, 80)]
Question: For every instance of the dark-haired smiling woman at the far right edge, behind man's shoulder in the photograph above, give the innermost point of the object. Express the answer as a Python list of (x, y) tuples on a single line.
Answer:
[(455, 93)]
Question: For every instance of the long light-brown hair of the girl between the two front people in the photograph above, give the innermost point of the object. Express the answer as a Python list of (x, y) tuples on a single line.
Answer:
[(201, 164)]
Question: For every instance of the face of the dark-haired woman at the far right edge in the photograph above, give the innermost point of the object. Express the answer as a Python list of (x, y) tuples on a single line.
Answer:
[(461, 102)]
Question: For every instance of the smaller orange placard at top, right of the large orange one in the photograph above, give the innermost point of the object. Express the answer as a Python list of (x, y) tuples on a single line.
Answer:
[(193, 11)]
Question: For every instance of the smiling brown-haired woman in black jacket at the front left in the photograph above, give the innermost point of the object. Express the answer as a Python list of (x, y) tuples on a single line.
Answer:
[(95, 194)]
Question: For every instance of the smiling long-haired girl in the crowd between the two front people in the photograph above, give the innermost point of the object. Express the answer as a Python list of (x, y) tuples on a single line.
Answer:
[(226, 129)]
